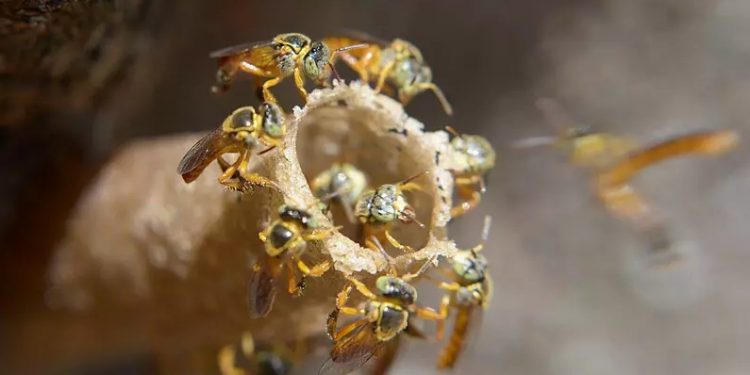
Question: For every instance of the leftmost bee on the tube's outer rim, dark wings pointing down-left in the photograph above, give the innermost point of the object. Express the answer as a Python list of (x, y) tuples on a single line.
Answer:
[(240, 133)]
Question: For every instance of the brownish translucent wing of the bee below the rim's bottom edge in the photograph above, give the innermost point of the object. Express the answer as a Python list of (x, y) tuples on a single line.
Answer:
[(353, 350)]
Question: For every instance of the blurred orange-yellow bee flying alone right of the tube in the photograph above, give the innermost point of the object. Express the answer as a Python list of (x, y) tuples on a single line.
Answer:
[(613, 162)]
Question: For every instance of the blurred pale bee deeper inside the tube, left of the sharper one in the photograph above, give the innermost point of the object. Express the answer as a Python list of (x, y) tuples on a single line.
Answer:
[(343, 183)]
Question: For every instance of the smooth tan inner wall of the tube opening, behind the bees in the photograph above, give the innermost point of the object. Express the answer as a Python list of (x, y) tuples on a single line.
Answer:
[(338, 134)]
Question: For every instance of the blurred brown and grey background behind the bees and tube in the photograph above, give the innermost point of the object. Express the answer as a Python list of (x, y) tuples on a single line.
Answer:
[(574, 293)]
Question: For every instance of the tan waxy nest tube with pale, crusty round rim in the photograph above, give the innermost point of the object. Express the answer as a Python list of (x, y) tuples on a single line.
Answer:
[(141, 234)]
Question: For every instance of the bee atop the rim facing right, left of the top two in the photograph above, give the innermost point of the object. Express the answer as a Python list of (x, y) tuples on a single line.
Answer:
[(287, 54)]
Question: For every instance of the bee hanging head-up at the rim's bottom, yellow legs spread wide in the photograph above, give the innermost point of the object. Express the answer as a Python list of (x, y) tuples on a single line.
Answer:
[(387, 312)]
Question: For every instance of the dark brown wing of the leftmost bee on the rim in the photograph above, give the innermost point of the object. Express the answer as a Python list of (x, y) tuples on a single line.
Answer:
[(203, 152)]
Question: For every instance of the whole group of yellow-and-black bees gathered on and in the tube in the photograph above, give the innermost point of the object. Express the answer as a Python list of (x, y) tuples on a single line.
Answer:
[(390, 308)]
